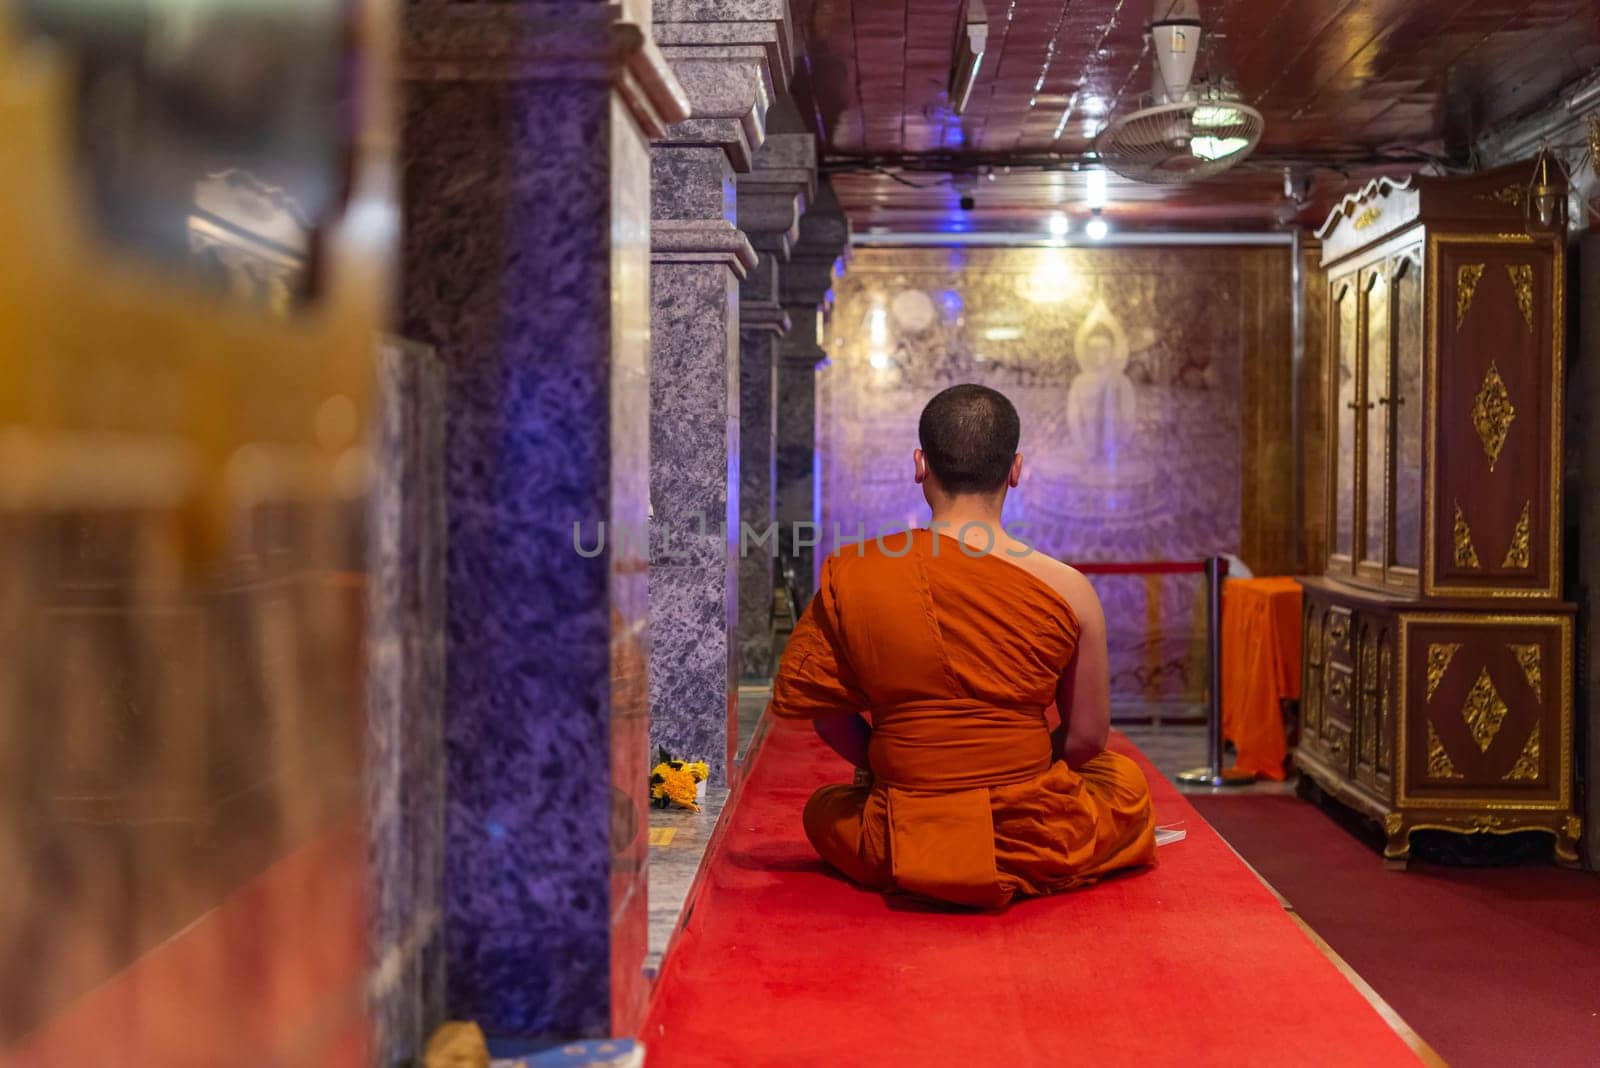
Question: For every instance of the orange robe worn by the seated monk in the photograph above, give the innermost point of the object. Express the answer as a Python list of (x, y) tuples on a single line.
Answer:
[(956, 660)]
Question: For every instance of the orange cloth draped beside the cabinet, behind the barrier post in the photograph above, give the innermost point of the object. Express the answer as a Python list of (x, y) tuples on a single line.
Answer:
[(1262, 634)]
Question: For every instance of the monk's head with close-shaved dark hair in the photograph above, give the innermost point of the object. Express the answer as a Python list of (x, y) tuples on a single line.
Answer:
[(969, 437)]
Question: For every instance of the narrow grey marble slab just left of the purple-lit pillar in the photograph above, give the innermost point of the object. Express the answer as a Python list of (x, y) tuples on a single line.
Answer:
[(406, 730)]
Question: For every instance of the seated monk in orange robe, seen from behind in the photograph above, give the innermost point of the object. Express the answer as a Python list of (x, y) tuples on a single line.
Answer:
[(929, 661)]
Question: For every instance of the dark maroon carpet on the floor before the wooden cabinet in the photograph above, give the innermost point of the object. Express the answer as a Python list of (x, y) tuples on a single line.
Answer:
[(1490, 966)]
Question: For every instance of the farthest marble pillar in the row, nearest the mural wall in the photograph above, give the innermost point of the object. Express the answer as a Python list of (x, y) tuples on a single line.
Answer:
[(807, 293)]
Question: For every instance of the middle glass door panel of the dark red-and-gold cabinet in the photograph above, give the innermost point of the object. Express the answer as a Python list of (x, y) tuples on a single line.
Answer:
[(1374, 426)]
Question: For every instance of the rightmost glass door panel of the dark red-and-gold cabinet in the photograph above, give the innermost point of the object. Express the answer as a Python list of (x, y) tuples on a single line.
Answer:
[(1406, 415)]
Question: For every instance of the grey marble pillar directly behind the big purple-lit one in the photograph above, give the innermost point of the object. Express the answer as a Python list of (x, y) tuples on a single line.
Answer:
[(730, 57)]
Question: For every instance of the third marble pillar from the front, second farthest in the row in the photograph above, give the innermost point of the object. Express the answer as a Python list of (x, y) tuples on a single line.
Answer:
[(772, 199)]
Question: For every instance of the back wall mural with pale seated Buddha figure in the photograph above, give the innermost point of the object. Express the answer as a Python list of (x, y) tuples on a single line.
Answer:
[(1127, 369)]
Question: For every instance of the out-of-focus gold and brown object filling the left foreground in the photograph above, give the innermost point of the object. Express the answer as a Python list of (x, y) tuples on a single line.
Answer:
[(185, 410)]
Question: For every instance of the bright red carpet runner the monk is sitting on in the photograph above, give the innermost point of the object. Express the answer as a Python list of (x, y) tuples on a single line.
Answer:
[(1193, 963)]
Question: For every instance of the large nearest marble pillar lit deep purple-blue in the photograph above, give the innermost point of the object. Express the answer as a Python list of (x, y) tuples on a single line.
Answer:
[(527, 266)]
